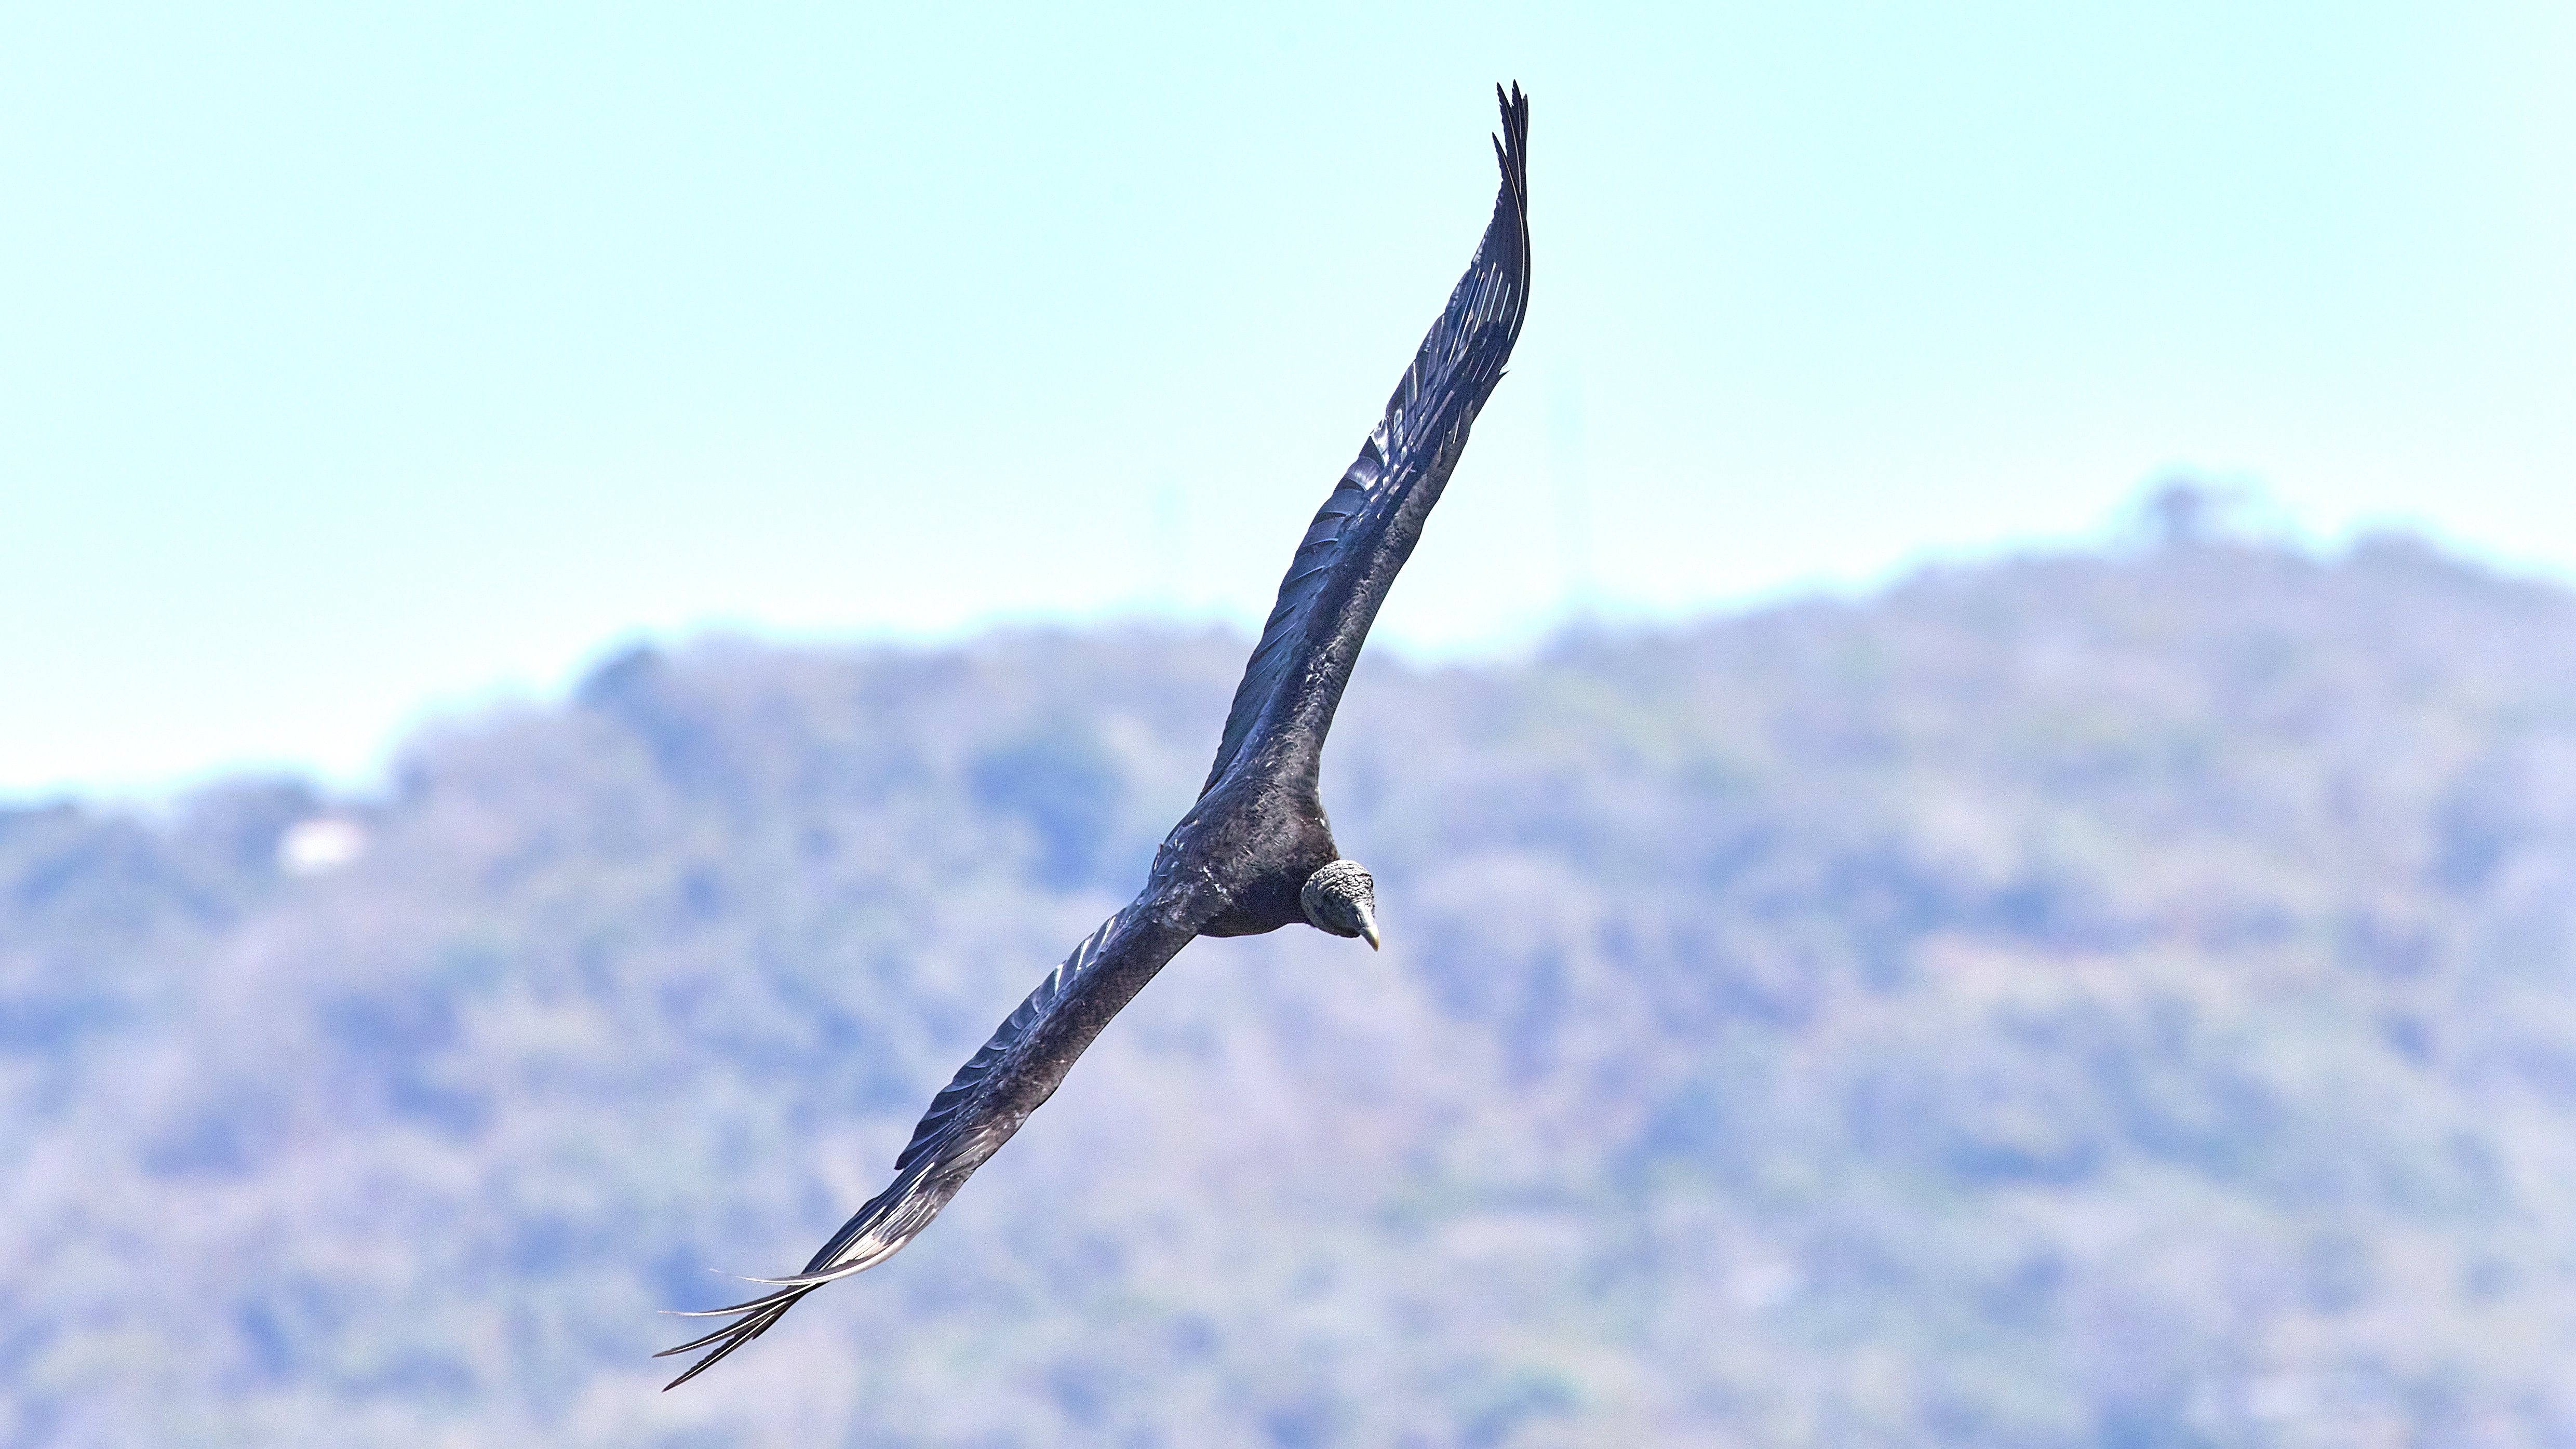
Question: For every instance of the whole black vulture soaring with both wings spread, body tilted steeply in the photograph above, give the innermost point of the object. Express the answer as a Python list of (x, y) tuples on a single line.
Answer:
[(1253, 852)]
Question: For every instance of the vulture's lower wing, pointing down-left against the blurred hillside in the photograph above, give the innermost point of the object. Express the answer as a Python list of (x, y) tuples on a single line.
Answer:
[(990, 1097)]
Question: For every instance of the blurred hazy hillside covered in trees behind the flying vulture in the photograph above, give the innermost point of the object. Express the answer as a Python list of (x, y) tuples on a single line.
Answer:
[(2065, 1002)]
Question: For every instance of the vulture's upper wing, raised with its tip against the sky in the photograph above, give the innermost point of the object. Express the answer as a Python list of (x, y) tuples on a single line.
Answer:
[(1374, 517)]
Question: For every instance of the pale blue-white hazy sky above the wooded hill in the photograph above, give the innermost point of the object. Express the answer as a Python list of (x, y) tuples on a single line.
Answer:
[(365, 362)]
